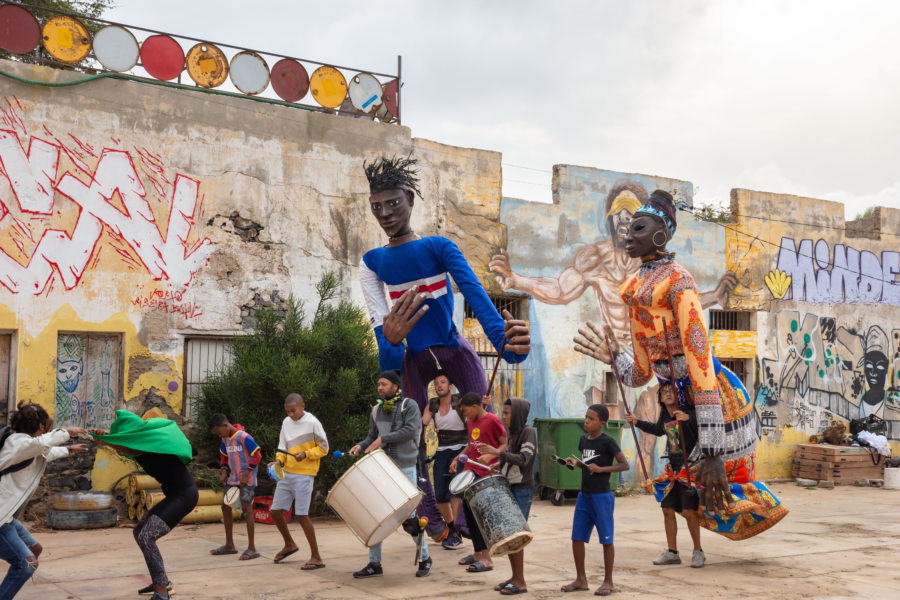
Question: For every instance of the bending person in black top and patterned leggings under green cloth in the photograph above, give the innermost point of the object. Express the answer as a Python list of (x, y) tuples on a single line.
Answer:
[(181, 496)]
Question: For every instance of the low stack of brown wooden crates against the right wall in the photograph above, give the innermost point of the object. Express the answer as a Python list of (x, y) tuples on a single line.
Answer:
[(840, 464)]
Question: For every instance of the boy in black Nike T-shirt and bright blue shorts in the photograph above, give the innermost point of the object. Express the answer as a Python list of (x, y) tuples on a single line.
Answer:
[(594, 509)]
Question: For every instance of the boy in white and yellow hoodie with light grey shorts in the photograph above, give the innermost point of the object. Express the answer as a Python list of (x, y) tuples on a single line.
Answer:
[(301, 443)]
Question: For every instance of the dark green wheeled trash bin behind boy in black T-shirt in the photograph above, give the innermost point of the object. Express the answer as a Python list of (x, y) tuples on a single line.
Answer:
[(560, 437)]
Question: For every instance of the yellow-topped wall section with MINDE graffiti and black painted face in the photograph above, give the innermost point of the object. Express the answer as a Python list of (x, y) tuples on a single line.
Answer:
[(829, 336)]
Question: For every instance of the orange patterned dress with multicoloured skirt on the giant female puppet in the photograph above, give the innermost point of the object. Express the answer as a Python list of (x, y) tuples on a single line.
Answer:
[(666, 317)]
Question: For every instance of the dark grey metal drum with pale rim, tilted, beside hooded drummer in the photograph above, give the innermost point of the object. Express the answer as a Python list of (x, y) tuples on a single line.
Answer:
[(499, 518)]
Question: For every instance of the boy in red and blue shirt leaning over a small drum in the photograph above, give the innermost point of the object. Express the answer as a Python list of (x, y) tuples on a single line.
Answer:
[(240, 455)]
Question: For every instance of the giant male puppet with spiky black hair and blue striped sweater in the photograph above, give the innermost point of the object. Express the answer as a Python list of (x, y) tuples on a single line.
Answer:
[(415, 272)]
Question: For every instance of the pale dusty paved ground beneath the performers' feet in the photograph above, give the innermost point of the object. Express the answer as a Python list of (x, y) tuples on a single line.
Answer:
[(840, 543)]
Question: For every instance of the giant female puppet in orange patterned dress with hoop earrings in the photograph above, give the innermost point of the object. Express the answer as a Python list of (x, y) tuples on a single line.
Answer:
[(667, 328)]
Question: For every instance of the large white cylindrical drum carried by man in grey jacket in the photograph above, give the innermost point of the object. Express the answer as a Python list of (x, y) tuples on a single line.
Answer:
[(374, 497)]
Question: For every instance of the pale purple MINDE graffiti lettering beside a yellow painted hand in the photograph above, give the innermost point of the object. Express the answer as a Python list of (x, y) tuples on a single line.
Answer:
[(817, 274)]
